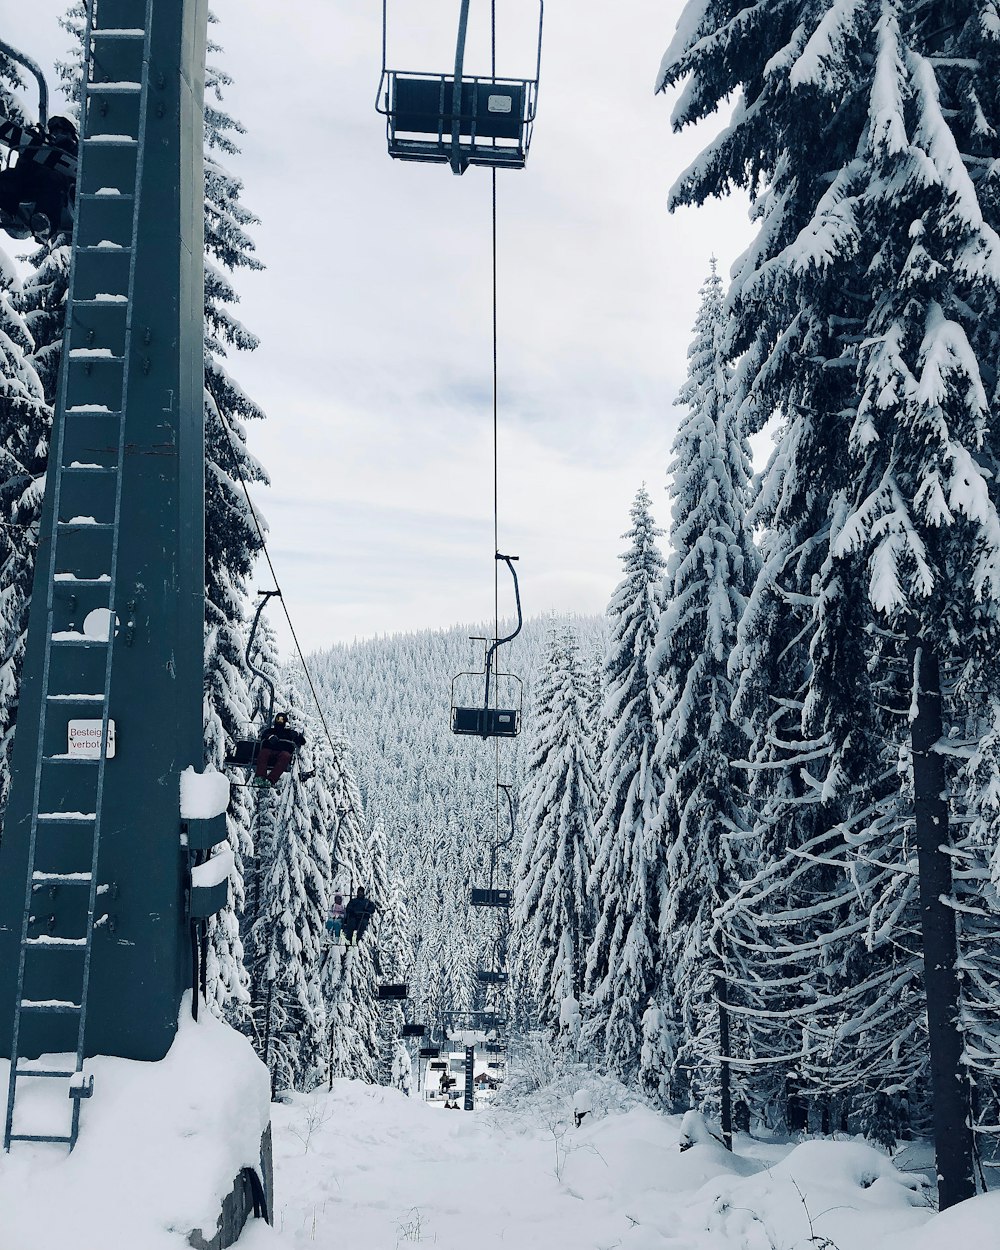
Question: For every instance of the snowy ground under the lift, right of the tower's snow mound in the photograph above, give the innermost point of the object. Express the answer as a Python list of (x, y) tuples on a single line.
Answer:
[(367, 1168)]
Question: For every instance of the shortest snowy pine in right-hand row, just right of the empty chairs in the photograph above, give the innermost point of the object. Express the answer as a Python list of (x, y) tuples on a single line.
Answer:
[(554, 916)]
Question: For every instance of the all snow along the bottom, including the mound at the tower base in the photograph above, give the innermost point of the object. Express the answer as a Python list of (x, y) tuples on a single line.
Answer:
[(367, 1168)]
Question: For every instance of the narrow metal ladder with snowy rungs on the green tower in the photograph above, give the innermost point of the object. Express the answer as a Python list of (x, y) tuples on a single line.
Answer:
[(54, 971)]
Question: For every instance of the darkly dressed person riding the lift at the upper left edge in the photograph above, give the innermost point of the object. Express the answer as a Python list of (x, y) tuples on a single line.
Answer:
[(36, 193)]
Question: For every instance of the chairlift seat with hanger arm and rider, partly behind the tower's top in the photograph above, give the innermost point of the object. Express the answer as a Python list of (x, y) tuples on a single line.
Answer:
[(38, 188)]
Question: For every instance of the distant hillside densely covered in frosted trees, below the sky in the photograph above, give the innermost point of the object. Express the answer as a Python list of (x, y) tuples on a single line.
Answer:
[(436, 793)]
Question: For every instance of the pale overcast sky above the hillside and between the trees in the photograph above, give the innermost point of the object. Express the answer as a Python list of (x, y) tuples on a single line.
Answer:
[(374, 308)]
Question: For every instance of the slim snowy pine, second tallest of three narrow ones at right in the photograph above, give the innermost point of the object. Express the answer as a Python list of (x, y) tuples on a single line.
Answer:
[(623, 959)]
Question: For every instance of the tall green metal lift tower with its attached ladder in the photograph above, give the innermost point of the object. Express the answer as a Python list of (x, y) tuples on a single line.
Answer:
[(96, 898)]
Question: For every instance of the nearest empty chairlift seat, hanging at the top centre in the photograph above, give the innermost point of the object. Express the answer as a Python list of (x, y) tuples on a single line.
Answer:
[(459, 119)]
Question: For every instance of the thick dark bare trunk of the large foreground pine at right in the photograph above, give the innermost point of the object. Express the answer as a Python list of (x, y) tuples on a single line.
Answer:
[(953, 1136)]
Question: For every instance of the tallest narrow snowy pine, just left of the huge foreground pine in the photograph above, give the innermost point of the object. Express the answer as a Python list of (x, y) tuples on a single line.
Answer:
[(711, 572)]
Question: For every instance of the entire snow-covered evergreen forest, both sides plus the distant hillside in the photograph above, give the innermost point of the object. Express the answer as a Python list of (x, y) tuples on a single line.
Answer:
[(752, 824)]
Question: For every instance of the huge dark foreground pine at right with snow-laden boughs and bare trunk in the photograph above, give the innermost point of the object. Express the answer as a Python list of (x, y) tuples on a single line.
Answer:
[(879, 261)]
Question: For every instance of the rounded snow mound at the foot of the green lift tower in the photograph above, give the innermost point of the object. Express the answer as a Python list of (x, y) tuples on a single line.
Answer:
[(161, 1146)]
